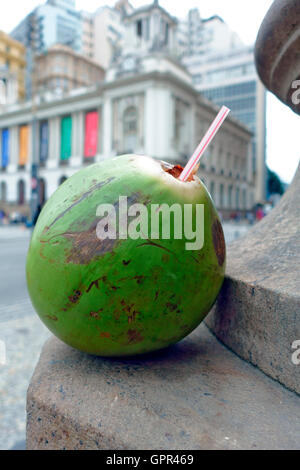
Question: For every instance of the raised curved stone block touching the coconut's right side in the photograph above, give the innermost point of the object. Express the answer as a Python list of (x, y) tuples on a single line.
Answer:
[(258, 311)]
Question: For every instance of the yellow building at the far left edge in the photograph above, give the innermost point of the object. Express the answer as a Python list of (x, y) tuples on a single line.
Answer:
[(12, 69)]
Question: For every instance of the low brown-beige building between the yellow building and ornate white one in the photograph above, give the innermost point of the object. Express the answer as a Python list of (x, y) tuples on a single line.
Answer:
[(61, 70)]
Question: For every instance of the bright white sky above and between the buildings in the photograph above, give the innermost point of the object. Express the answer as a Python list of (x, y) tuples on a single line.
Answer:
[(244, 17)]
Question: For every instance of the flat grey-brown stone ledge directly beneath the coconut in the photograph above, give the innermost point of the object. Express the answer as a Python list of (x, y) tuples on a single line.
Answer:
[(195, 395)]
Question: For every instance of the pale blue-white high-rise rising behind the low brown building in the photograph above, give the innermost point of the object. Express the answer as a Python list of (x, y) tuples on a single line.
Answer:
[(56, 21)]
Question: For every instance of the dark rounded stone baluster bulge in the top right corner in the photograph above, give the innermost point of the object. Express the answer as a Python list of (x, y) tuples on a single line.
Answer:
[(277, 50)]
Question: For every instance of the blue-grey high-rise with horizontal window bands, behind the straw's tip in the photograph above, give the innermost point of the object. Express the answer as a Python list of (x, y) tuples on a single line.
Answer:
[(230, 78)]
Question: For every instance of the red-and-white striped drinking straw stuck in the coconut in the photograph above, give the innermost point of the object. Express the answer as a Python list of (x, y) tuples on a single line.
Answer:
[(210, 134)]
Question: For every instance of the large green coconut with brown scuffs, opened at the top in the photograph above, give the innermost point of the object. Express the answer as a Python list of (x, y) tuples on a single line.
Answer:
[(123, 296)]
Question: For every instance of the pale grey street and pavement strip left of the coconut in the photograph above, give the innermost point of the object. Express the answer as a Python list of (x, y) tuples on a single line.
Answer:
[(22, 333)]
